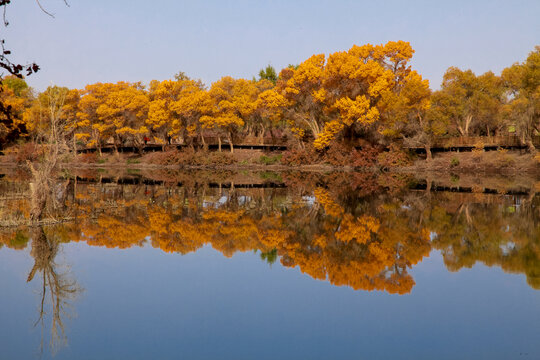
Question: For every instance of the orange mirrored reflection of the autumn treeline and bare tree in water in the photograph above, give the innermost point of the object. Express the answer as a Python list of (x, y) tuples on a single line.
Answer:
[(360, 230)]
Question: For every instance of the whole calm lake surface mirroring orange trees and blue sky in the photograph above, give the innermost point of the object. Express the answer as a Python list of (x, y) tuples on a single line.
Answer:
[(262, 265)]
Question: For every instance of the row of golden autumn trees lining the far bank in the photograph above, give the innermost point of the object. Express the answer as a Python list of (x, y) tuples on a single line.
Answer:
[(366, 95)]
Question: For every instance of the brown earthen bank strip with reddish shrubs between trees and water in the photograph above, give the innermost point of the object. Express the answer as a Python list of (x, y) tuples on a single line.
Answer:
[(473, 162)]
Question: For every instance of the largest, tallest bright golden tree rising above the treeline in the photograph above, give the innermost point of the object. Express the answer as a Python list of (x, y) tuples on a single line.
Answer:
[(345, 94)]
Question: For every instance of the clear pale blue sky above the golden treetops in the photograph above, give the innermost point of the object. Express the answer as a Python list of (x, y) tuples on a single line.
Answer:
[(134, 40)]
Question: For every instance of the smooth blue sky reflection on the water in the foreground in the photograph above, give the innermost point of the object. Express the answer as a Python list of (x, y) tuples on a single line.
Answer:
[(141, 303)]
